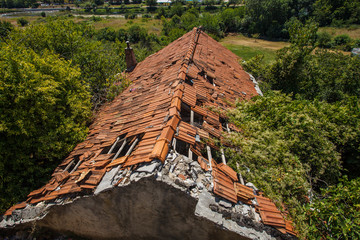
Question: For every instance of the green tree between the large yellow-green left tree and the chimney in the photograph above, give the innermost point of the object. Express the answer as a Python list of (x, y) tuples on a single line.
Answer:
[(98, 62)]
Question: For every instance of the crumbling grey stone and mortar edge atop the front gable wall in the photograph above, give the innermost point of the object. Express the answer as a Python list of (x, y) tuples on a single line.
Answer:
[(179, 172)]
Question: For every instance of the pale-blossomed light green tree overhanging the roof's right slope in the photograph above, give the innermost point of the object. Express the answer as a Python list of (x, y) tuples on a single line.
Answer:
[(291, 148)]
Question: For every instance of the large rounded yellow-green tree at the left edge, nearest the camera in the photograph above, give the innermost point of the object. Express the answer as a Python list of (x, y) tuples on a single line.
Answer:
[(44, 109)]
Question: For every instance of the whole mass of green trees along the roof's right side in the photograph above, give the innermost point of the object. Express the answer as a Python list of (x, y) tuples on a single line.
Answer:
[(295, 143)]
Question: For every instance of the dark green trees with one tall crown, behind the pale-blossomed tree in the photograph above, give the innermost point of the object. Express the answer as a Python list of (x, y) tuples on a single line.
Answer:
[(325, 75)]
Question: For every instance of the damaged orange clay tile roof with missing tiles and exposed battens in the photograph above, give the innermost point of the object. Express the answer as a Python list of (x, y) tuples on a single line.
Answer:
[(166, 106)]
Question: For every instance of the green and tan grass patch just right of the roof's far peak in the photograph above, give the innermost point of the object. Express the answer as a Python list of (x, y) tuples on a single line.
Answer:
[(247, 48)]
